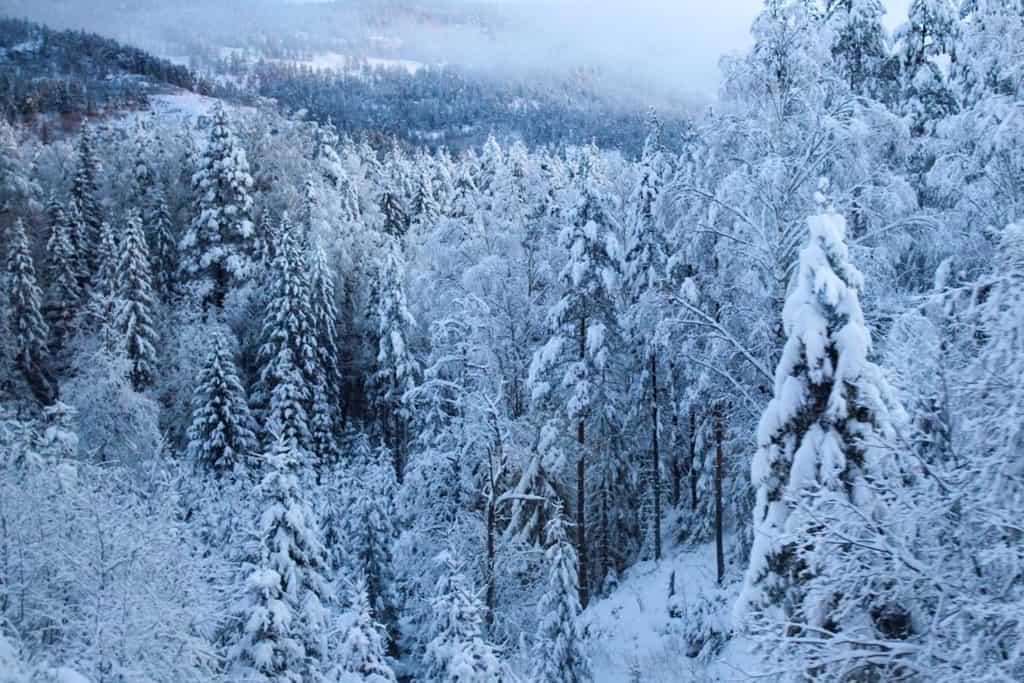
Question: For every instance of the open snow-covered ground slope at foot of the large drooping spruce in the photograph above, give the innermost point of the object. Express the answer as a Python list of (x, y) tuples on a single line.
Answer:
[(631, 629)]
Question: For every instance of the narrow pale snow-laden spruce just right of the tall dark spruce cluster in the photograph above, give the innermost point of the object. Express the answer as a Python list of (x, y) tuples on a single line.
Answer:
[(396, 368)]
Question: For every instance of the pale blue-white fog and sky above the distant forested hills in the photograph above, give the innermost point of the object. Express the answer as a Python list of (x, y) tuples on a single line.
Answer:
[(670, 48)]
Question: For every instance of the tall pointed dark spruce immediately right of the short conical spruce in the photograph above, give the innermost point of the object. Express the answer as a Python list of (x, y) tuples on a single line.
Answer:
[(288, 331)]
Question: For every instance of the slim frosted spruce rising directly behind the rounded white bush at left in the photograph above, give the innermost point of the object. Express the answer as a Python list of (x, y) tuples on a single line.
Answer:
[(135, 316)]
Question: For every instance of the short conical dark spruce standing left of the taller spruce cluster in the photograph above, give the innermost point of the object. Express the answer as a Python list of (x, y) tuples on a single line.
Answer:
[(222, 437)]
